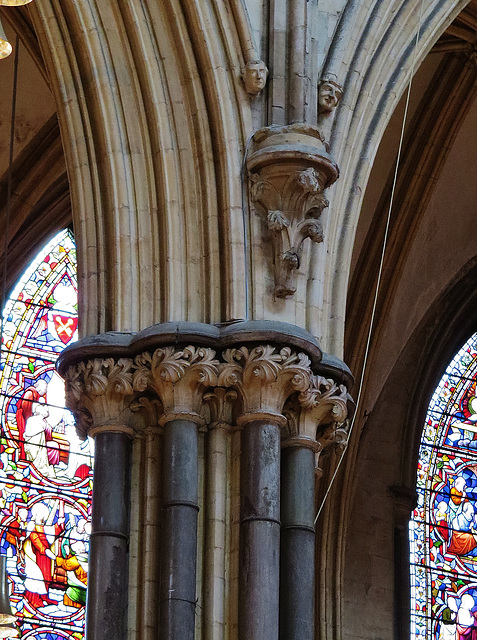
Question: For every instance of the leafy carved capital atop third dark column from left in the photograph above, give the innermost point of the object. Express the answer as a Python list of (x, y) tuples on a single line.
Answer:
[(264, 377)]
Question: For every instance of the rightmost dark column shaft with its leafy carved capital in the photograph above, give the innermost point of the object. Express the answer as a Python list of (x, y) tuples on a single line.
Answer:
[(320, 409)]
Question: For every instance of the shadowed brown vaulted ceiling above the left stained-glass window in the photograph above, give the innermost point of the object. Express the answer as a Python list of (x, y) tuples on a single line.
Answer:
[(40, 192)]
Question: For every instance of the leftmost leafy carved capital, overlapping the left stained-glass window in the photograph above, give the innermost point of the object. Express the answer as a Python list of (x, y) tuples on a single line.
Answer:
[(99, 393)]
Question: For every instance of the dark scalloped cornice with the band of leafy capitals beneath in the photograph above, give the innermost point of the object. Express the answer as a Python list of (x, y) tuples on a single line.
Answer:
[(264, 362)]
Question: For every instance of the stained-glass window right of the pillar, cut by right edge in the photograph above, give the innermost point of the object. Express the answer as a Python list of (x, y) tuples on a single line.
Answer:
[(443, 530)]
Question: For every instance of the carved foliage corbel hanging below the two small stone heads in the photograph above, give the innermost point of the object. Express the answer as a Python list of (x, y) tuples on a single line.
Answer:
[(289, 170)]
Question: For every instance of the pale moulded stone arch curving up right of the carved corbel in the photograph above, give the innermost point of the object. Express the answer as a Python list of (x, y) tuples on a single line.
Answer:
[(372, 54)]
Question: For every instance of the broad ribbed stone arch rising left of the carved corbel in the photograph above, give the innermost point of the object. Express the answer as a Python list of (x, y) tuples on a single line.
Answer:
[(152, 118)]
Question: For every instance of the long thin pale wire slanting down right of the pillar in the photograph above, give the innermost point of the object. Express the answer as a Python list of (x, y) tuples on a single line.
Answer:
[(381, 264)]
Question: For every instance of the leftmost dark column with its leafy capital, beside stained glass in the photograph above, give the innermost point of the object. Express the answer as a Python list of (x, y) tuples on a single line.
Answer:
[(99, 392)]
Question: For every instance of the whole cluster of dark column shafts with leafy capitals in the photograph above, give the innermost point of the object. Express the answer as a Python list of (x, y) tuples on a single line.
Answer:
[(254, 388)]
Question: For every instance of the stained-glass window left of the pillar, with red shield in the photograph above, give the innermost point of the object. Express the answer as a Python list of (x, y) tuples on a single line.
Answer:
[(45, 469)]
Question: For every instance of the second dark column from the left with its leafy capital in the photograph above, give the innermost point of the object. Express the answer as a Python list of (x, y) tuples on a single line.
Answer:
[(179, 377)]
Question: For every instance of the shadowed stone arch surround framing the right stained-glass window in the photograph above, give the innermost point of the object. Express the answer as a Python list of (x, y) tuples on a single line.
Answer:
[(382, 483)]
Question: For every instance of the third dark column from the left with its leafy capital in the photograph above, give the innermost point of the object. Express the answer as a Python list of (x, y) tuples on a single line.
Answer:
[(264, 377)]
